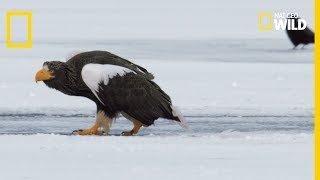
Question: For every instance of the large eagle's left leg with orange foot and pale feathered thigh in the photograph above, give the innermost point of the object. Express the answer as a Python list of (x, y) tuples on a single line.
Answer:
[(102, 121)]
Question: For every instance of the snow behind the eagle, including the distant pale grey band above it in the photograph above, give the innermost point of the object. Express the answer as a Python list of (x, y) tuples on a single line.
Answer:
[(200, 79)]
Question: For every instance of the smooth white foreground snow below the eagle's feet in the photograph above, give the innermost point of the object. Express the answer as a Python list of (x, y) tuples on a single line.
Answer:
[(225, 156)]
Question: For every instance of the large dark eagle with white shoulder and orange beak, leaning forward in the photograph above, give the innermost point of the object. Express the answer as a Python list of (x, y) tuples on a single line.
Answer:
[(116, 85)]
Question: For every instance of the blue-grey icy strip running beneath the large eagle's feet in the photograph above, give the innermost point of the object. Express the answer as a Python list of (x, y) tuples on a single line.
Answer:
[(29, 123)]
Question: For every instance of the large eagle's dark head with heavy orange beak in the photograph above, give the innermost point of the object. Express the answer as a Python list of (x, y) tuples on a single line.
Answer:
[(54, 74)]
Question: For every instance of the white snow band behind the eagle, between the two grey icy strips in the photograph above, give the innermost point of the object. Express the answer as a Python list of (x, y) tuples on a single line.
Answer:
[(196, 87)]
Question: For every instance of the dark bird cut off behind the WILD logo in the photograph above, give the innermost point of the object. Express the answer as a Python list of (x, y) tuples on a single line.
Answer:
[(298, 37)]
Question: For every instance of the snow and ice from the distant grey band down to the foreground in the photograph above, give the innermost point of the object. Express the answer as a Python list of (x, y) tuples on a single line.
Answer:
[(248, 102)]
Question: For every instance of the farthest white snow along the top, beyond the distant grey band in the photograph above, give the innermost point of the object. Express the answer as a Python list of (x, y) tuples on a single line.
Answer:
[(178, 19)]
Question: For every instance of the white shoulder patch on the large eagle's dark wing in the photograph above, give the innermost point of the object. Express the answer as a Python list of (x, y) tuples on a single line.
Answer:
[(94, 74)]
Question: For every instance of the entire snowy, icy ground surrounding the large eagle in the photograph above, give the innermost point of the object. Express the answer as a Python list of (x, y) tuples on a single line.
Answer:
[(247, 96)]
